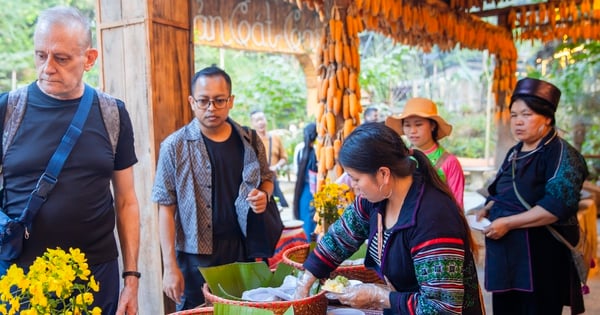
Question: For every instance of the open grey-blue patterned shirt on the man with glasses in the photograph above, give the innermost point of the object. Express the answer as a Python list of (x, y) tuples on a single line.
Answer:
[(183, 178)]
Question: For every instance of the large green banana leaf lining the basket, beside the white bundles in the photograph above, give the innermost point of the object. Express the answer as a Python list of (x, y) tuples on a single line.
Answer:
[(231, 280)]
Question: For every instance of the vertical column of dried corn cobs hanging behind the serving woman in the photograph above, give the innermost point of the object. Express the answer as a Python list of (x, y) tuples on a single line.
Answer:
[(339, 108)]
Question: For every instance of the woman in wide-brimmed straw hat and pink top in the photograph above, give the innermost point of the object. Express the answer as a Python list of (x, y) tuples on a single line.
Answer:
[(424, 128)]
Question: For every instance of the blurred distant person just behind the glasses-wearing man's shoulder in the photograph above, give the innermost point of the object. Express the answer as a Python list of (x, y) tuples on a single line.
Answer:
[(276, 154)]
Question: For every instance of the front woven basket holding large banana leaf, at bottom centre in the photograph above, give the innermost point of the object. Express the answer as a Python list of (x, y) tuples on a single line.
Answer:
[(312, 305)]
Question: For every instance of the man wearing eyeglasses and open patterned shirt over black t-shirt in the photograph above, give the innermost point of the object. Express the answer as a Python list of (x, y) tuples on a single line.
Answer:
[(208, 177)]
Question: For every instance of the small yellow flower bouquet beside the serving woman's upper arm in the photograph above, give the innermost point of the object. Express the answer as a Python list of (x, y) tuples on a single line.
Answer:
[(330, 203)]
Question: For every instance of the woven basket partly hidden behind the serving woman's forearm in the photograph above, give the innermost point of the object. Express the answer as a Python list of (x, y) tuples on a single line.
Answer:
[(295, 256)]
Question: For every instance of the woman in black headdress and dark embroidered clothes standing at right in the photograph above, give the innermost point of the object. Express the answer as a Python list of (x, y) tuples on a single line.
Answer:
[(546, 173)]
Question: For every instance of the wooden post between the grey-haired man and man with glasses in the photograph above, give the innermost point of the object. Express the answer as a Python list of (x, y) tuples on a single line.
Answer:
[(146, 60)]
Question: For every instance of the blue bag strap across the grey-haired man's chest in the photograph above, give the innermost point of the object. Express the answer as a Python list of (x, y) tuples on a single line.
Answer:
[(50, 176)]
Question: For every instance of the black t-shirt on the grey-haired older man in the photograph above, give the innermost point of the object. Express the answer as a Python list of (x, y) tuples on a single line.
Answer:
[(79, 212)]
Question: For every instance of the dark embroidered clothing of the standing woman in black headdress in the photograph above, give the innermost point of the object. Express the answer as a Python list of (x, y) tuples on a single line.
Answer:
[(550, 176)]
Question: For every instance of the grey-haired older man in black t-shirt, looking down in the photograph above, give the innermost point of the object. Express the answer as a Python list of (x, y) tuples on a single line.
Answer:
[(80, 211)]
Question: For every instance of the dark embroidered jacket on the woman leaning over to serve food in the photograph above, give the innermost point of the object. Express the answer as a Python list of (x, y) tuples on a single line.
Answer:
[(427, 258)]
